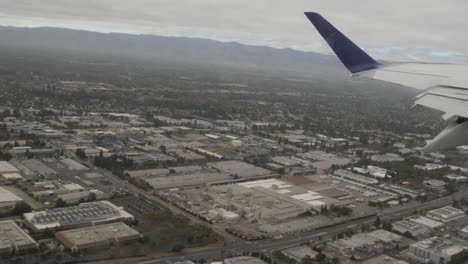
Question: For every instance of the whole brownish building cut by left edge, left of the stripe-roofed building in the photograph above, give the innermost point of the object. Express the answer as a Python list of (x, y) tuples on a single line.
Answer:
[(14, 239)]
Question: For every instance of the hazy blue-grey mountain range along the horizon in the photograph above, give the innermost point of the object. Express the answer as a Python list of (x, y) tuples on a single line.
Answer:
[(181, 49)]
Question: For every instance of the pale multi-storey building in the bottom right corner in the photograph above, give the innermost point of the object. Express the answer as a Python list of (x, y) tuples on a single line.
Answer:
[(434, 250)]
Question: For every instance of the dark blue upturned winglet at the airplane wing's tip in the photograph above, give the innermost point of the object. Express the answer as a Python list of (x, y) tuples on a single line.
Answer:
[(353, 57)]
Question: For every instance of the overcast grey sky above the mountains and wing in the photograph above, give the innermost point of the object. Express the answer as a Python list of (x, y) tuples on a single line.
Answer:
[(432, 30)]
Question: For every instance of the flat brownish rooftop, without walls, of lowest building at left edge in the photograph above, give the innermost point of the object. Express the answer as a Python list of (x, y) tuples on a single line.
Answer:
[(11, 235)]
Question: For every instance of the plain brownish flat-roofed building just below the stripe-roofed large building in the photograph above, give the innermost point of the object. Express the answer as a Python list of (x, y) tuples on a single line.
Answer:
[(97, 236)]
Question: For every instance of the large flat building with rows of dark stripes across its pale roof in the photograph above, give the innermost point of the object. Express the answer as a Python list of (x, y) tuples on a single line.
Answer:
[(85, 214)]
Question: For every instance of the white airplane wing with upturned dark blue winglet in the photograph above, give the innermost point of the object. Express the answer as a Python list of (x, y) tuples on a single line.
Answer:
[(445, 85)]
